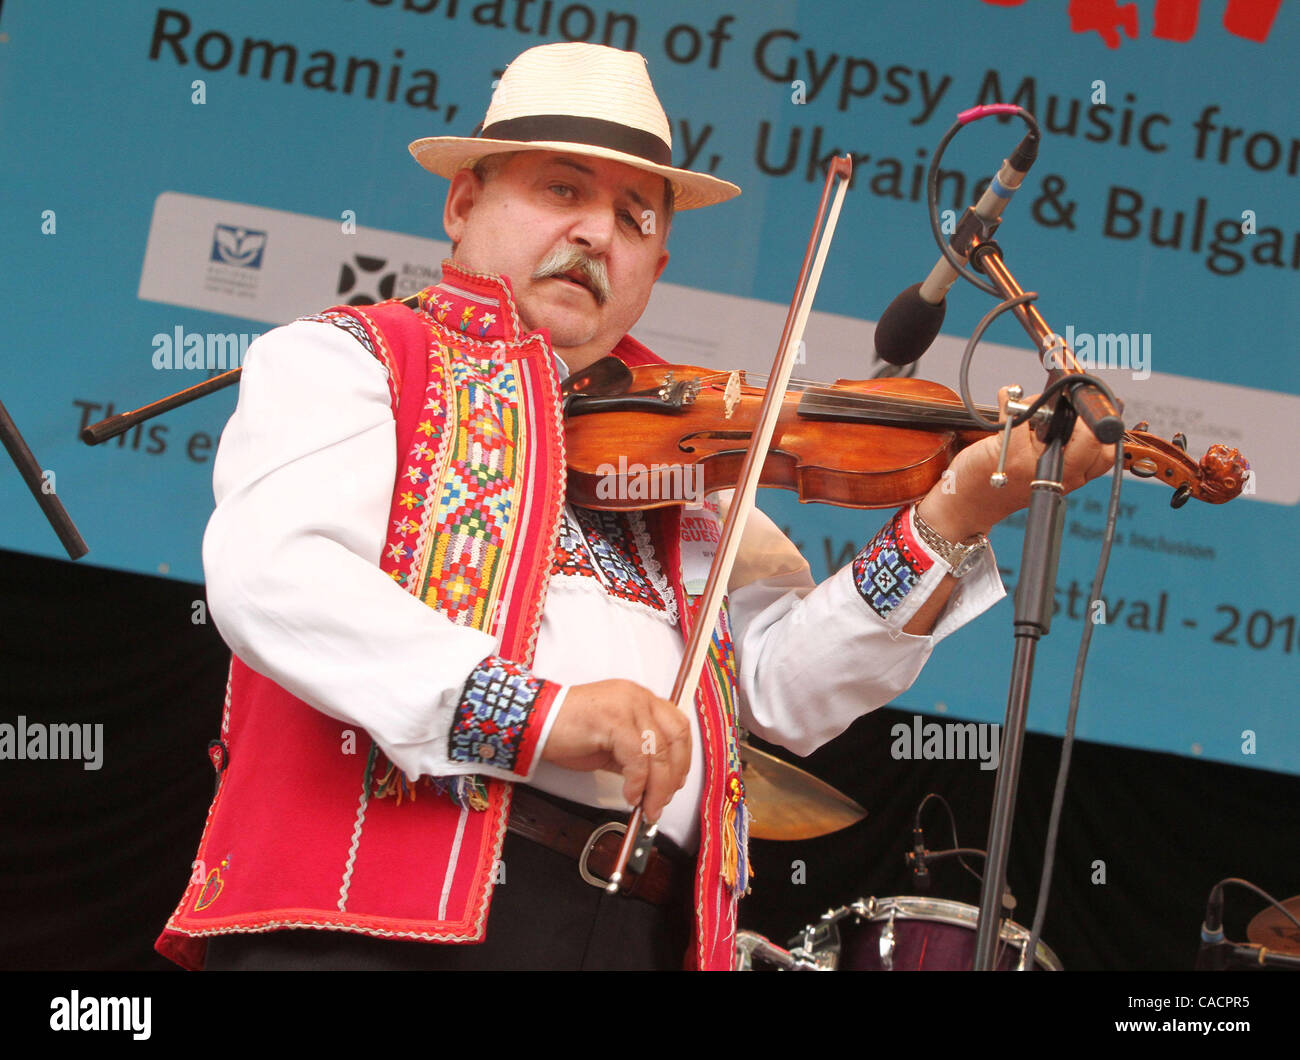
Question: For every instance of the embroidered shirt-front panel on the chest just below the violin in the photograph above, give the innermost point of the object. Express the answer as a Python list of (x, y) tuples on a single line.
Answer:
[(614, 548)]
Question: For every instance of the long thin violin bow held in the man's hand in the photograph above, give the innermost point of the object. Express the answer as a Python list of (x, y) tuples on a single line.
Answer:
[(747, 488)]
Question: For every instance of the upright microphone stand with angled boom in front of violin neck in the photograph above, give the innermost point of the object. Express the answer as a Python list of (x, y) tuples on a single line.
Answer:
[(1042, 551)]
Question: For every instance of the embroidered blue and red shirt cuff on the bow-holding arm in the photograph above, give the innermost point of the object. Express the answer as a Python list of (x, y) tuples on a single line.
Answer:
[(501, 717)]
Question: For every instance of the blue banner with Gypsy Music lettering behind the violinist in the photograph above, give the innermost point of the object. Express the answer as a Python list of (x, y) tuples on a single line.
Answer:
[(184, 178)]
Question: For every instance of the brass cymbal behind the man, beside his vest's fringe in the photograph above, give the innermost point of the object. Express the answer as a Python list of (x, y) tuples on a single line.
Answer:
[(788, 803)]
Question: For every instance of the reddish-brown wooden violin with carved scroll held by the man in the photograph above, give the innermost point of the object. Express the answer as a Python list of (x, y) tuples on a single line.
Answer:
[(683, 432)]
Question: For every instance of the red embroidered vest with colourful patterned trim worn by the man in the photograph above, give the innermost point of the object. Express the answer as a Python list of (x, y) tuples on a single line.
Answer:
[(297, 836)]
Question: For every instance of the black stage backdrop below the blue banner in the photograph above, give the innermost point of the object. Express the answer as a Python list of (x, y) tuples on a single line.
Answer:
[(93, 862)]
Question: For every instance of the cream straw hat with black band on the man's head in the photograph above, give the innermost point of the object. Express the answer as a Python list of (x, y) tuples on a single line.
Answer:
[(583, 99)]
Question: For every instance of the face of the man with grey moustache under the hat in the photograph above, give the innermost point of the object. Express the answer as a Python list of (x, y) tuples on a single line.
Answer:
[(543, 202)]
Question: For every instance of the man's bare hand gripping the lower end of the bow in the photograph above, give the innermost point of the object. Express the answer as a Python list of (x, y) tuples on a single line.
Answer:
[(622, 728)]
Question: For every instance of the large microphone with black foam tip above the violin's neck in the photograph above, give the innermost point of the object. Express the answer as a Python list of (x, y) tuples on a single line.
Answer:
[(912, 322)]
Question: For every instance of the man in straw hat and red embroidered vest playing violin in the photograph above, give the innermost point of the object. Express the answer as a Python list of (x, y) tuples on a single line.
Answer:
[(447, 680)]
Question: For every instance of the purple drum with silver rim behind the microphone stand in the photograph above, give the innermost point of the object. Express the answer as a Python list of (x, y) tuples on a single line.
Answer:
[(911, 934)]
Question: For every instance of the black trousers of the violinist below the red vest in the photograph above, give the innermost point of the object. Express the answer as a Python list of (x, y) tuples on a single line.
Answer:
[(543, 918)]
